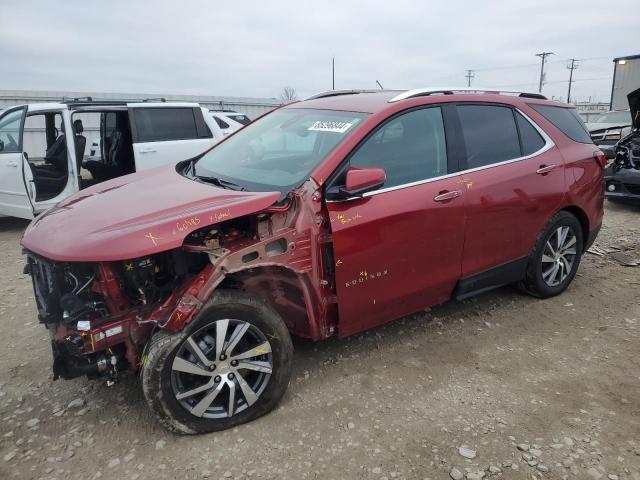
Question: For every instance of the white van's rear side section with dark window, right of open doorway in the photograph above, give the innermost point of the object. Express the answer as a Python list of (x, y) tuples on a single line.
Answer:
[(166, 135)]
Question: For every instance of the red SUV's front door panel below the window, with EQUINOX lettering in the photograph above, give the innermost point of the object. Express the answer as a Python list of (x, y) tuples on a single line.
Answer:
[(396, 252)]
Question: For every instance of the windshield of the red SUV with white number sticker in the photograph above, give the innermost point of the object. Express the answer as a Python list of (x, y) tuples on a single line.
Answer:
[(278, 151)]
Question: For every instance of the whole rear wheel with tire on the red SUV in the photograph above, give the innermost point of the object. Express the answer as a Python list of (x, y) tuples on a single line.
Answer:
[(555, 258)]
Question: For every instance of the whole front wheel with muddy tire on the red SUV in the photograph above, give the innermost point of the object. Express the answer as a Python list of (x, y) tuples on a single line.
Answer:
[(231, 365)]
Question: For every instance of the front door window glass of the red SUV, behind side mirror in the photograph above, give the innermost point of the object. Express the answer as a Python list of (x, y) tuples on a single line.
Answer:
[(410, 147)]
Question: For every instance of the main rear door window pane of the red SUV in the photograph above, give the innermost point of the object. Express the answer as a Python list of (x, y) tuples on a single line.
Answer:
[(489, 133)]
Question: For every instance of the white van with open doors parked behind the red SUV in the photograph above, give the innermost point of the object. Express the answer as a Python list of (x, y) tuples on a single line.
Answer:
[(40, 165)]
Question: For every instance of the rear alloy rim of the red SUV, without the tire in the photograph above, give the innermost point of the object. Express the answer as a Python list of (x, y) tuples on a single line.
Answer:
[(558, 256)]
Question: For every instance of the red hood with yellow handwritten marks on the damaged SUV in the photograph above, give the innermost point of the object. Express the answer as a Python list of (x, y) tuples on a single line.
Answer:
[(135, 215)]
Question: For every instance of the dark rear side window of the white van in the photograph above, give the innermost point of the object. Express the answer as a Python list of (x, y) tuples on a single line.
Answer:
[(159, 124)]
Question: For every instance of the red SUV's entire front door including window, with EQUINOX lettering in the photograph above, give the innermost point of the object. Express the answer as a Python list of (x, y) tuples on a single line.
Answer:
[(398, 250)]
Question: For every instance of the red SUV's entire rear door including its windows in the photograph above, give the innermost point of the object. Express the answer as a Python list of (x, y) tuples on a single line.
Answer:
[(514, 182)]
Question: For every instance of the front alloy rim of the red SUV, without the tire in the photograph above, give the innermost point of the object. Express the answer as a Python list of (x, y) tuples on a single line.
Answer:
[(222, 369)]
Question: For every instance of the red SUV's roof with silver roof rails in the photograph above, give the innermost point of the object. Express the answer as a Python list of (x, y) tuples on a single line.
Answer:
[(376, 101)]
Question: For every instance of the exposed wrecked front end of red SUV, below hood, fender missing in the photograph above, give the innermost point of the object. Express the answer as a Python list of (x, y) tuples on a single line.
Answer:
[(101, 315)]
